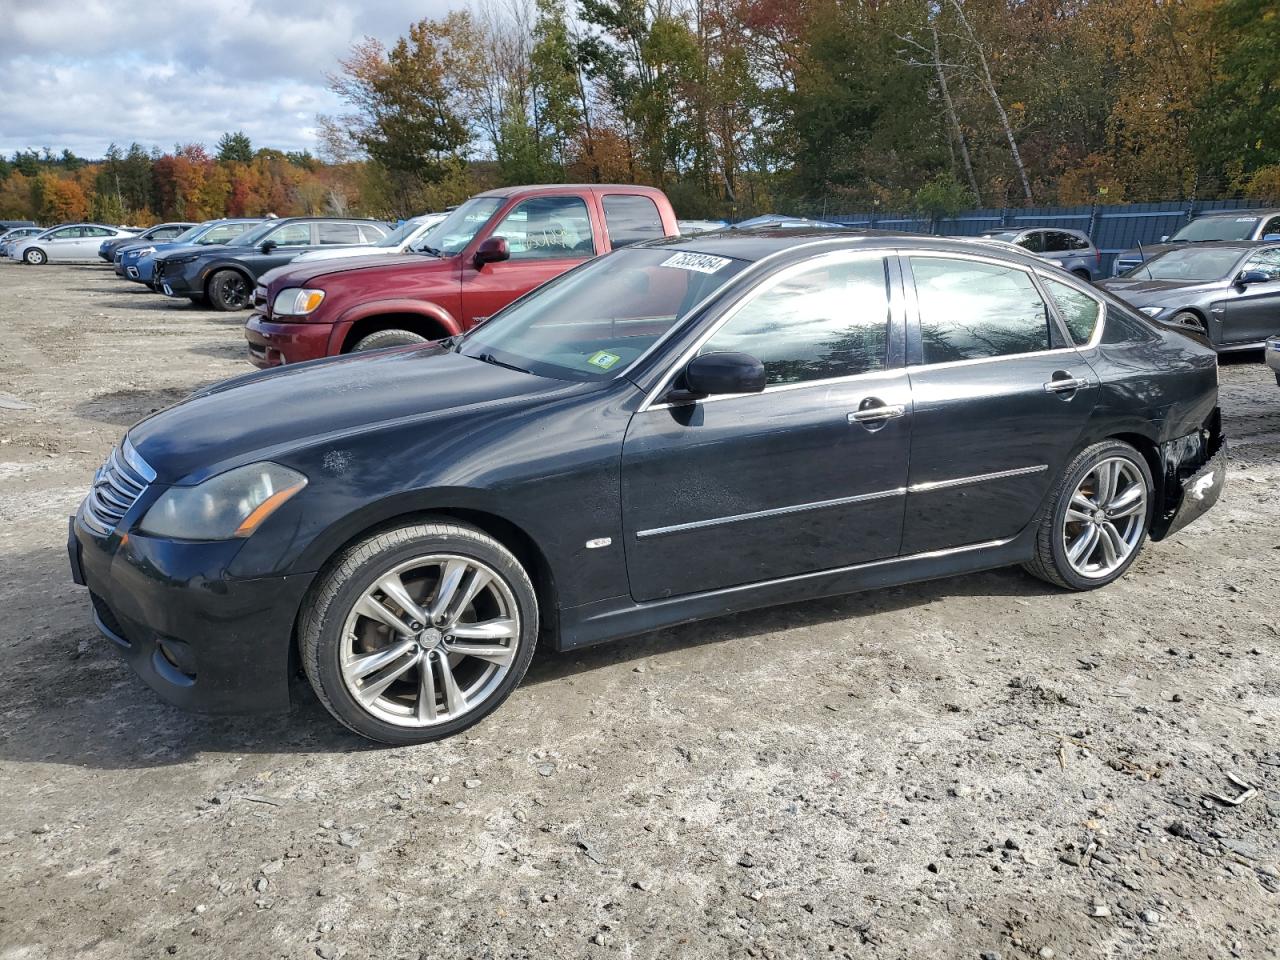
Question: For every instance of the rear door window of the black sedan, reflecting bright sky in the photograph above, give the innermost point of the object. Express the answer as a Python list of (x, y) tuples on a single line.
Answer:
[(972, 310)]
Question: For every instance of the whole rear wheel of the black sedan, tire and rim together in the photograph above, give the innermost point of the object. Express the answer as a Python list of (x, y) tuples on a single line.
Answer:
[(1064, 555)]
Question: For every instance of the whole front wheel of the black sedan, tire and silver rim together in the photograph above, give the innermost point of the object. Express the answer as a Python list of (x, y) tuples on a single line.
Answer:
[(348, 618)]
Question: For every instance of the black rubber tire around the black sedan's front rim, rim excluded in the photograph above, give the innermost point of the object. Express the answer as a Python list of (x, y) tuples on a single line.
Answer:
[(344, 583)]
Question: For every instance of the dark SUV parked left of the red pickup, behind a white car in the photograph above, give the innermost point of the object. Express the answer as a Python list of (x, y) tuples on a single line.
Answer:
[(225, 277)]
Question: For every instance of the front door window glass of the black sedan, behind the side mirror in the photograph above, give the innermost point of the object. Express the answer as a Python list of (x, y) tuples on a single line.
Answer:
[(825, 322)]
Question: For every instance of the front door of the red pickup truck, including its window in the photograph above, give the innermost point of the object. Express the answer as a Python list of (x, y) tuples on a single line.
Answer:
[(546, 235)]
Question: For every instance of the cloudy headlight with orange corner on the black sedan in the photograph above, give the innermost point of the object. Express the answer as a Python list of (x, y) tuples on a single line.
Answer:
[(228, 506)]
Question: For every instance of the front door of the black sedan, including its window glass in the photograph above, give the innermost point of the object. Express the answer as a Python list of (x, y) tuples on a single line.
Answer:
[(808, 476)]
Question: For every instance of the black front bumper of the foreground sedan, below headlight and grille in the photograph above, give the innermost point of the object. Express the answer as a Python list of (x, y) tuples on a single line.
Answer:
[(203, 641)]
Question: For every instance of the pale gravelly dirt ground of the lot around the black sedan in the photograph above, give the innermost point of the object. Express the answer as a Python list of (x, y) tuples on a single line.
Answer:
[(973, 767)]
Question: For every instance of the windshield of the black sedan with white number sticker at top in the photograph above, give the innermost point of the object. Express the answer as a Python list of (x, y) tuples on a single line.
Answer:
[(595, 322)]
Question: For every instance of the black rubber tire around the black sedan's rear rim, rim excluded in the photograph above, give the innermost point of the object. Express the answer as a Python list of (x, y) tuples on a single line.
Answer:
[(1052, 563)]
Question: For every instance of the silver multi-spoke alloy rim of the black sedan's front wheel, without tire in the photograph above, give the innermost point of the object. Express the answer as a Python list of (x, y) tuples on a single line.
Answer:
[(431, 641)]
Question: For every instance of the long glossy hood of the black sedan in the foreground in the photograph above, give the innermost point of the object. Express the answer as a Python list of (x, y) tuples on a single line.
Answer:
[(267, 414)]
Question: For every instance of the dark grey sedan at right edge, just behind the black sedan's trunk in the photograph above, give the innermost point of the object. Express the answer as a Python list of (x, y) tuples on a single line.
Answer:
[(1228, 292)]
